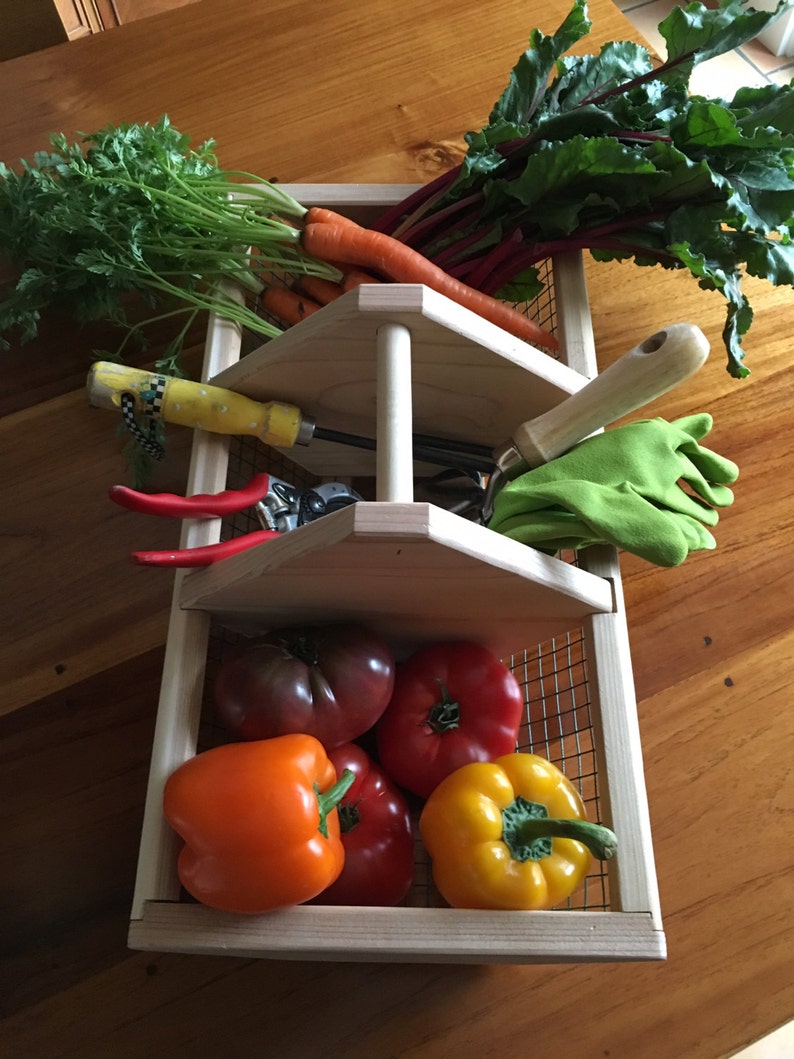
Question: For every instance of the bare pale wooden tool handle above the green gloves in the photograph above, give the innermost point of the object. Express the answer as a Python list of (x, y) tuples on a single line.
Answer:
[(646, 372)]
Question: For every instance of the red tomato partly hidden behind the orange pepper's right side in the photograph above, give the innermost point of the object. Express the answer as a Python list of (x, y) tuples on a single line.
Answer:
[(376, 834)]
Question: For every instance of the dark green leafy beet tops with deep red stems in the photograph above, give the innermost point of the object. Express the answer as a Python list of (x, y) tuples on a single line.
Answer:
[(612, 154)]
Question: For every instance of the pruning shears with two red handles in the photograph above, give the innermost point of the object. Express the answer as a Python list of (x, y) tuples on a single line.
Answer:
[(279, 508)]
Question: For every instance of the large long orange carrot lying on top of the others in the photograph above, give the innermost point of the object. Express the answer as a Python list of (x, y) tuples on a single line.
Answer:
[(384, 256)]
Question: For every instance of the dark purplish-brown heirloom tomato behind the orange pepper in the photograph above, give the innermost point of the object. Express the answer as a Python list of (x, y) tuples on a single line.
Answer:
[(333, 683)]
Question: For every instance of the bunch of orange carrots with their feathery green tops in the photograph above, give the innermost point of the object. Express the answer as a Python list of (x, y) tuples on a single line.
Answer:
[(139, 216)]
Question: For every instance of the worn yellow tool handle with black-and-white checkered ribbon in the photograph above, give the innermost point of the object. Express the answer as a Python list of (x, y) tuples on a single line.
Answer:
[(198, 405)]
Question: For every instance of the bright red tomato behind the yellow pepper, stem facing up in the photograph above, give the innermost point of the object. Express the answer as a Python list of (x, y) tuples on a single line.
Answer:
[(453, 704)]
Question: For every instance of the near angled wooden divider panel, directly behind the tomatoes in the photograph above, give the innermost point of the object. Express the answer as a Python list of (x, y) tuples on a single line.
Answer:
[(429, 575)]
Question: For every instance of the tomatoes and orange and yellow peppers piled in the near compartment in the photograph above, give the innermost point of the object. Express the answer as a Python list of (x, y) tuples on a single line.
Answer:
[(298, 813)]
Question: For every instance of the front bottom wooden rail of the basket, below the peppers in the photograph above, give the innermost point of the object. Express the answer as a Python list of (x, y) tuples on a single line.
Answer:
[(405, 936)]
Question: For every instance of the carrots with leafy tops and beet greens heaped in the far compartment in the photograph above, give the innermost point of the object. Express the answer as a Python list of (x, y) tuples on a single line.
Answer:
[(607, 153)]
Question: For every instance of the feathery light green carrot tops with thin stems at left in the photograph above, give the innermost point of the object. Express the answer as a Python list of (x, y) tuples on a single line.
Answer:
[(133, 216)]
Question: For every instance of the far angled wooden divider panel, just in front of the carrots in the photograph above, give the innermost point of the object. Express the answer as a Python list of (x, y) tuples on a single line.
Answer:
[(472, 382)]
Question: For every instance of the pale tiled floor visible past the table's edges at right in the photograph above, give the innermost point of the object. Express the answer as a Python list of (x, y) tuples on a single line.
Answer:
[(752, 65)]
